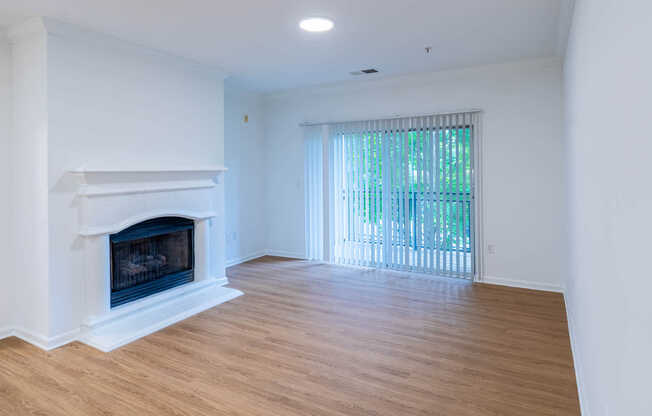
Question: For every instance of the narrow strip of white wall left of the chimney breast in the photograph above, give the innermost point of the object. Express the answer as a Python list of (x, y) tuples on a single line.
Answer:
[(5, 132)]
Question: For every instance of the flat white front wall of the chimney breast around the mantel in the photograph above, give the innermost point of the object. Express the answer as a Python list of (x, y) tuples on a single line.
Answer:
[(114, 104)]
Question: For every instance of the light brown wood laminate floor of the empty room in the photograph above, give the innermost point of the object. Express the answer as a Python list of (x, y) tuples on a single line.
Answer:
[(313, 339)]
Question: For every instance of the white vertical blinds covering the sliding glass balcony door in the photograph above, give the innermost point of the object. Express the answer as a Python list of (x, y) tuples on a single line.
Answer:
[(401, 194)]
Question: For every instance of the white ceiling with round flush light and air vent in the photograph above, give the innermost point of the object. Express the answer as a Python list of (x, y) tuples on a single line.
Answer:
[(260, 44)]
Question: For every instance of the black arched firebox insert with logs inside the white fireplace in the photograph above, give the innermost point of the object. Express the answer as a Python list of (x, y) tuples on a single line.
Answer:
[(150, 257)]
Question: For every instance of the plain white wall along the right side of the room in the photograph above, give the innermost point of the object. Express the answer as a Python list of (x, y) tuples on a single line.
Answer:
[(608, 97)]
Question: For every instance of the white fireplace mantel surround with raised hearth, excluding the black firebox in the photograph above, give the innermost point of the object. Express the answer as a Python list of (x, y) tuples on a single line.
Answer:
[(111, 200)]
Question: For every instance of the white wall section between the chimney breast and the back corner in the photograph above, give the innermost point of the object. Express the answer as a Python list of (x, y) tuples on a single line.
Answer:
[(245, 180)]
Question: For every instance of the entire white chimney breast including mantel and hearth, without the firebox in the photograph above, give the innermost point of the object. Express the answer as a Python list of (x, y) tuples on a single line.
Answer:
[(107, 134)]
